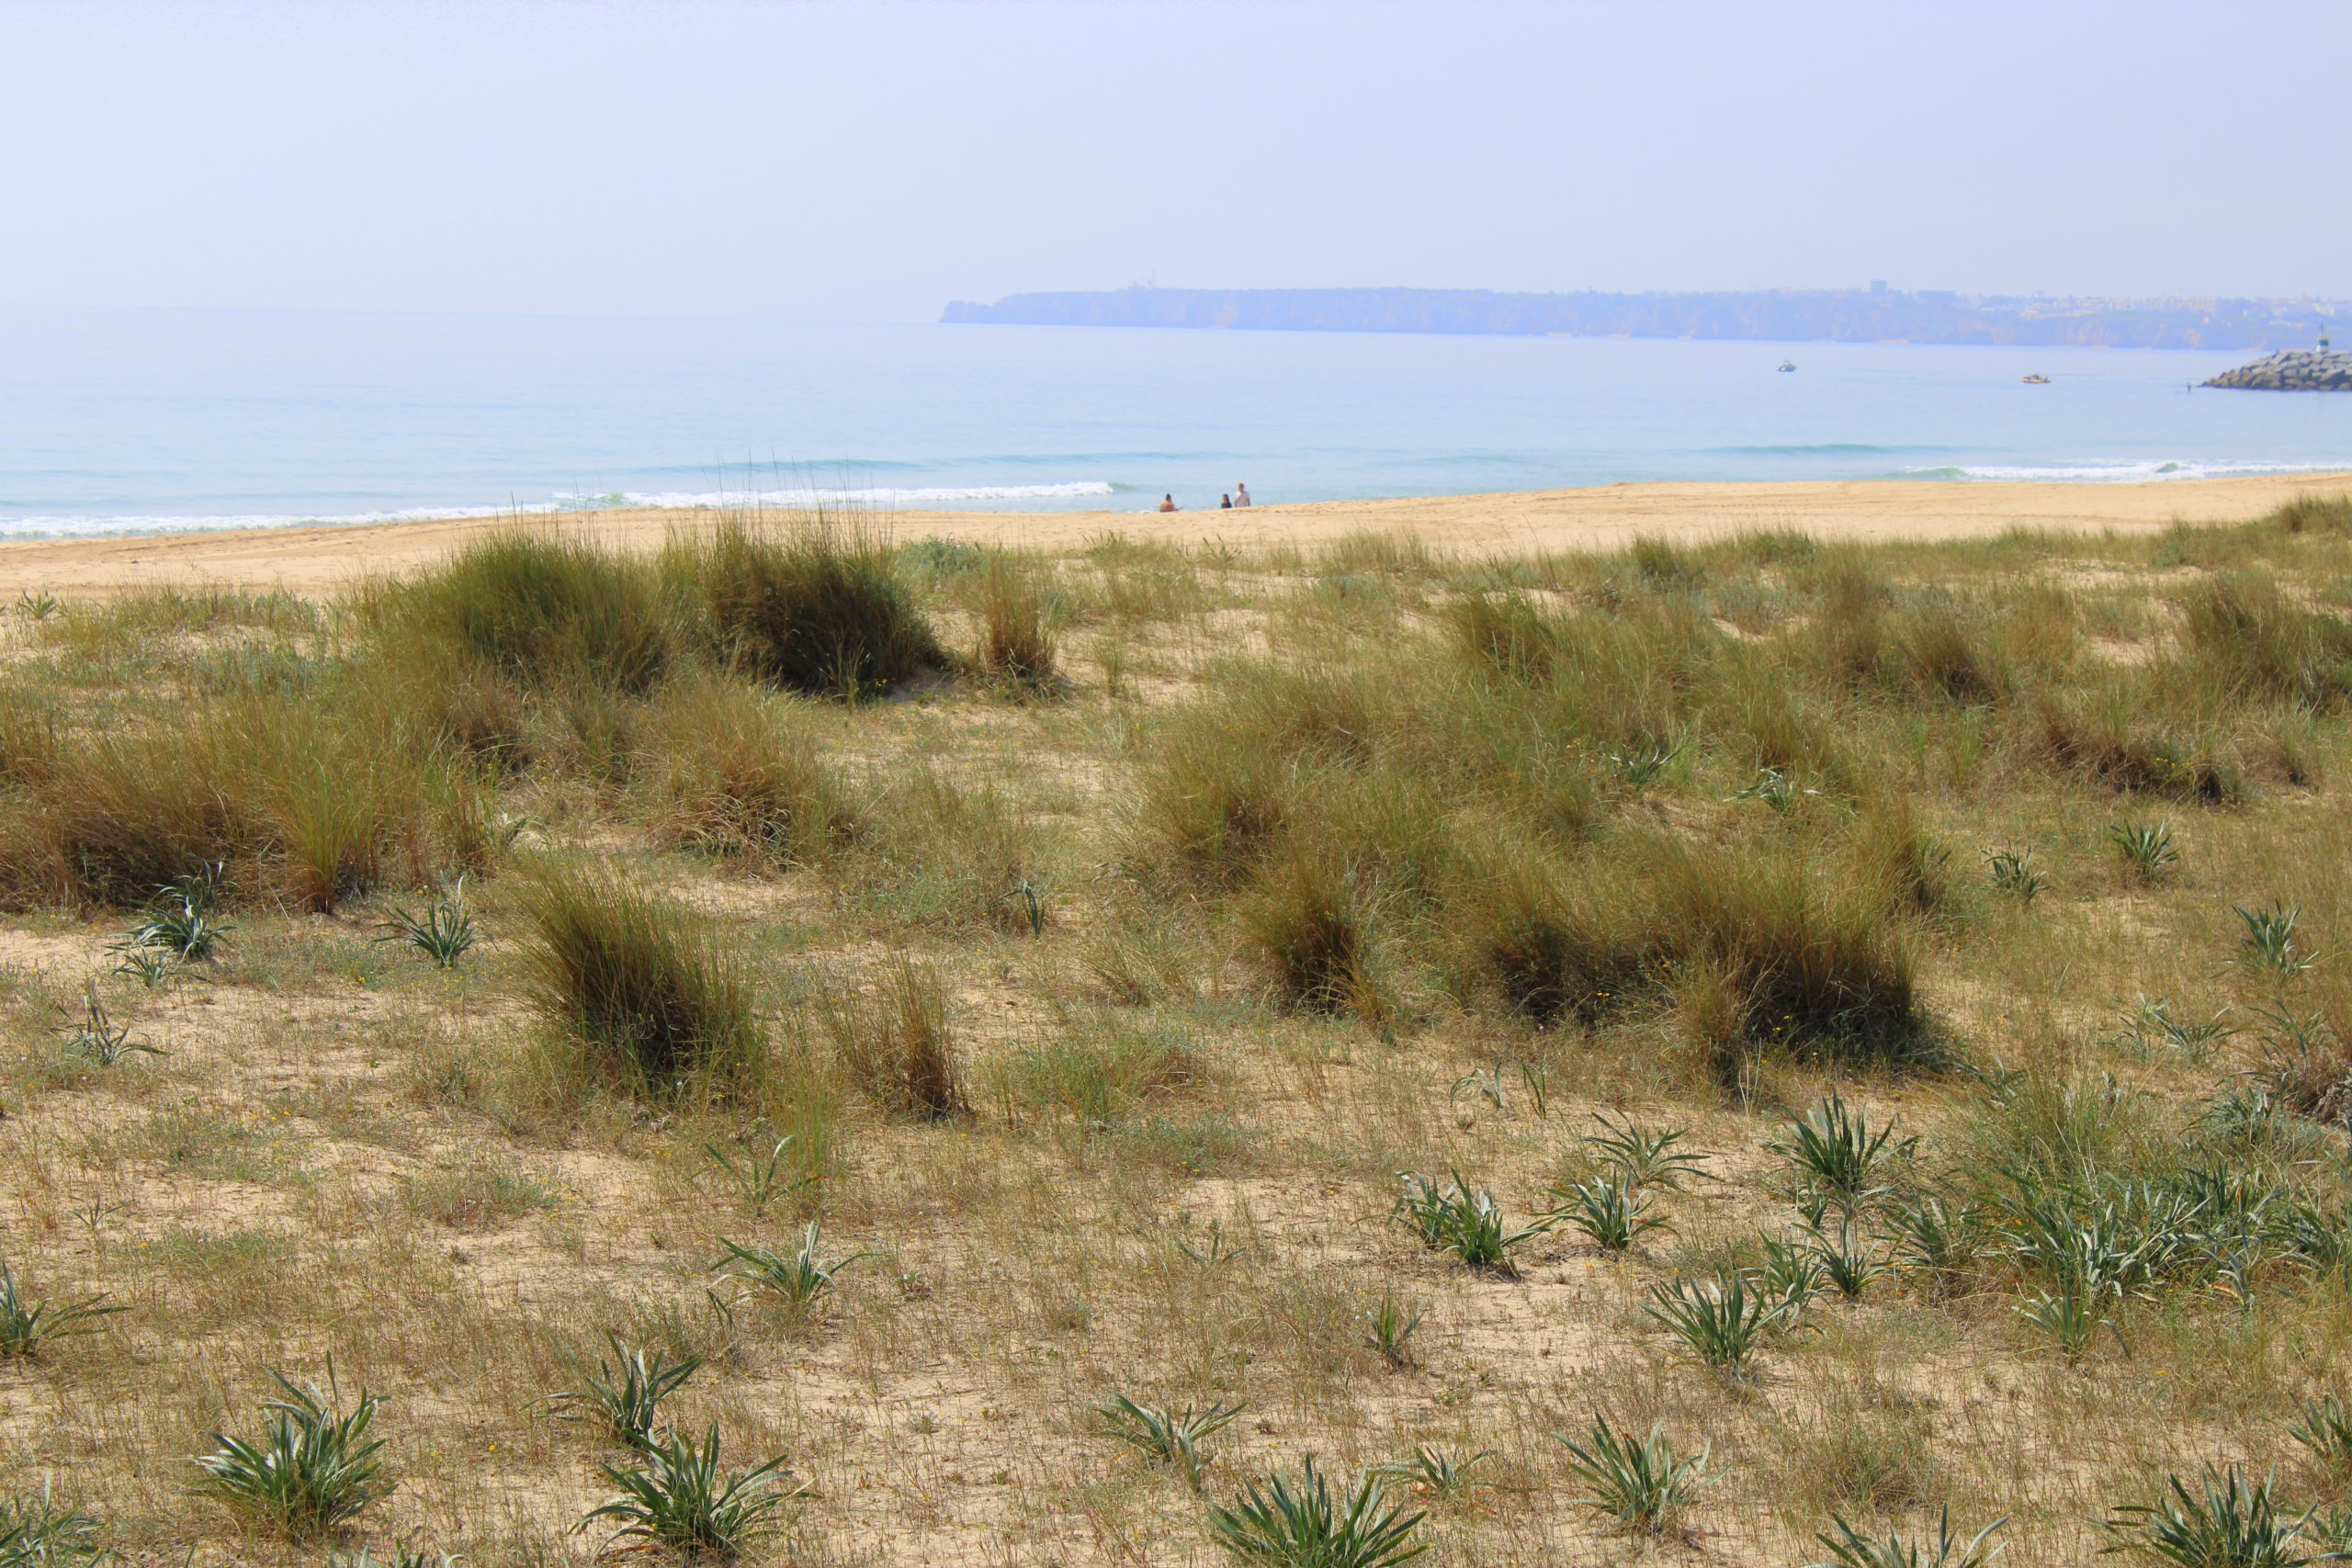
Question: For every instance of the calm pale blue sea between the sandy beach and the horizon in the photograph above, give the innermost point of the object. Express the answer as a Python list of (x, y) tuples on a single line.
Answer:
[(194, 420)]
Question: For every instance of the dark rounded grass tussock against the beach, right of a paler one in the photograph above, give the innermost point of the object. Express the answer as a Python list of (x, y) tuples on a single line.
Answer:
[(813, 605)]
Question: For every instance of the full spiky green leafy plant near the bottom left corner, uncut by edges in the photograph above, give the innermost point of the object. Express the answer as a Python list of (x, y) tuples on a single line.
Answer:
[(312, 1470)]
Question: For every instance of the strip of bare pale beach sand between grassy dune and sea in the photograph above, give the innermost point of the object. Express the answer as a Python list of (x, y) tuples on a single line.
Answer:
[(319, 561)]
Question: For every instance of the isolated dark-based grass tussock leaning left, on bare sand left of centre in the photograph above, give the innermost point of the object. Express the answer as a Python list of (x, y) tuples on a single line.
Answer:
[(639, 984)]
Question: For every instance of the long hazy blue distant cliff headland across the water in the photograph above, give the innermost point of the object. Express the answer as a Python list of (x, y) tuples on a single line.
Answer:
[(1819, 316)]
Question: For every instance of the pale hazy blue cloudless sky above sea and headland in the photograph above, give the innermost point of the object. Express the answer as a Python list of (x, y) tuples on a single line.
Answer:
[(876, 161)]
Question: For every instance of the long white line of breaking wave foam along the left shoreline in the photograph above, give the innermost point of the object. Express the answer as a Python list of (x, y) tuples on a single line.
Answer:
[(220, 523)]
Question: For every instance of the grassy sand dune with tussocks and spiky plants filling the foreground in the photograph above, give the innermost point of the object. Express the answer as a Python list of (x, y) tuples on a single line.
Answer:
[(815, 1047)]
